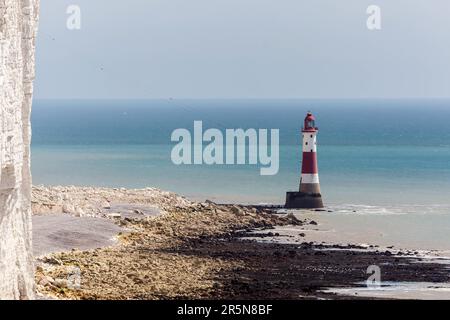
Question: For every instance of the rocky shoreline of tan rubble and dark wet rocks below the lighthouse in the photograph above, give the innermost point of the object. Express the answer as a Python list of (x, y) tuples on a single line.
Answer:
[(196, 250)]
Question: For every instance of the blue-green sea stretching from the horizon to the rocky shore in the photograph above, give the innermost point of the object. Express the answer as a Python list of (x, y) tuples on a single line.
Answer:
[(380, 161)]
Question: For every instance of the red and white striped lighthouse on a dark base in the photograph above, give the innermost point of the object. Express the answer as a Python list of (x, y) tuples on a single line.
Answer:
[(309, 195)]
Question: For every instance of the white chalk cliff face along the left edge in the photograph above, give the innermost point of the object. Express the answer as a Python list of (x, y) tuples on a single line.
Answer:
[(18, 24)]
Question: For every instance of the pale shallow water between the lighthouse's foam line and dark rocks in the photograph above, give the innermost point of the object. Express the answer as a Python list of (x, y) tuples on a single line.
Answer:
[(410, 231)]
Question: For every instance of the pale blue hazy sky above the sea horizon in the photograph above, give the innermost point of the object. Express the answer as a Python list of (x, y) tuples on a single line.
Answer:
[(244, 49)]
